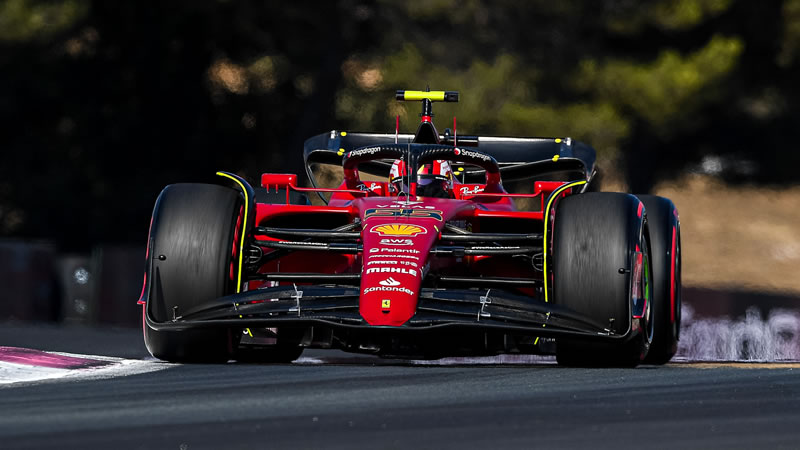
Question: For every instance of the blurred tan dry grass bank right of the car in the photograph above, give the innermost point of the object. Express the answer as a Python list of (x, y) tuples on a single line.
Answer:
[(737, 237)]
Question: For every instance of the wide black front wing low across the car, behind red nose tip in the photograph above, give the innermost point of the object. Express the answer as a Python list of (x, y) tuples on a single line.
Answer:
[(337, 307)]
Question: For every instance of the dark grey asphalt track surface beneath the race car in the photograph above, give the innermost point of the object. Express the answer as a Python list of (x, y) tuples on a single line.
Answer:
[(335, 400)]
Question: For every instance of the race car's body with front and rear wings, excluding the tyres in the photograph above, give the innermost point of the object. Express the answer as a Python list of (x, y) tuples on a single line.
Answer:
[(379, 270)]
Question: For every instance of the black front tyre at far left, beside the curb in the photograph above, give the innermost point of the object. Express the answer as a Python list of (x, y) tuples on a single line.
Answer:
[(191, 250)]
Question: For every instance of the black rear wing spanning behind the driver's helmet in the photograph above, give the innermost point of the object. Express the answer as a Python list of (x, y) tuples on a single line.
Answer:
[(518, 158)]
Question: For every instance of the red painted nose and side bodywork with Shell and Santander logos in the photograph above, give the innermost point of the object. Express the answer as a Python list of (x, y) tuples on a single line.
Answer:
[(397, 237)]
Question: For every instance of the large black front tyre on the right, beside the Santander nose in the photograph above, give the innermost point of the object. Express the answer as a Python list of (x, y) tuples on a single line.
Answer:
[(602, 270)]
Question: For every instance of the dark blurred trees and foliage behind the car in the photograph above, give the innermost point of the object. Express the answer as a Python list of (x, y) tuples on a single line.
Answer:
[(103, 103)]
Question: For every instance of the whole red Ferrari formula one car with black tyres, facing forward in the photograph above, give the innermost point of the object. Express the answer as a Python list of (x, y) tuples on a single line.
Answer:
[(428, 255)]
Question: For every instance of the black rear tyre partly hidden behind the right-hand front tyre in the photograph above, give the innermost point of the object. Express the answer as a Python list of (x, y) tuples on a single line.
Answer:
[(665, 239)]
